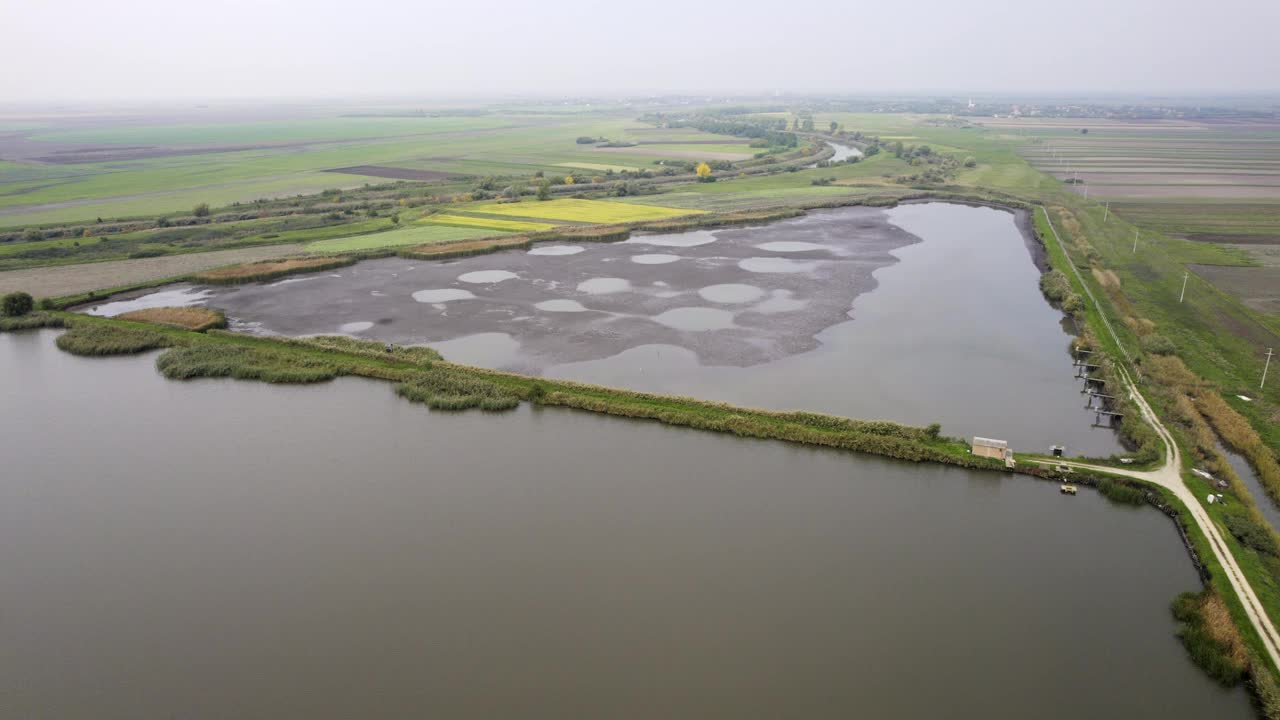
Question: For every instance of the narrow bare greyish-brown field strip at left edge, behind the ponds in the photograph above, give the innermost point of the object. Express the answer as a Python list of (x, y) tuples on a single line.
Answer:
[(75, 280)]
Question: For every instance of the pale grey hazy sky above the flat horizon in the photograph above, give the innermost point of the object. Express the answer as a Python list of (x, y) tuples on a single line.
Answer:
[(148, 49)]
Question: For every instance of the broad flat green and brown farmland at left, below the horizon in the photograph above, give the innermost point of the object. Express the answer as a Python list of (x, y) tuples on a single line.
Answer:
[(108, 167)]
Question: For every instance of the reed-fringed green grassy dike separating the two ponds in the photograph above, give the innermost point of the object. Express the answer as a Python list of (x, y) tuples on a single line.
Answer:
[(423, 377)]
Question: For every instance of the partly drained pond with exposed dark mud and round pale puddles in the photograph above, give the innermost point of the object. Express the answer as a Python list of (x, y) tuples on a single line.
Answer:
[(922, 313)]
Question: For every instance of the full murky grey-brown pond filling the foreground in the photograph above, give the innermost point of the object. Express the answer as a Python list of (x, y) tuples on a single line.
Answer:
[(223, 549)]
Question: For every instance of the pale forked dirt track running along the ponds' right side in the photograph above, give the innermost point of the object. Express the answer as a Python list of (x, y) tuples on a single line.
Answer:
[(1169, 476)]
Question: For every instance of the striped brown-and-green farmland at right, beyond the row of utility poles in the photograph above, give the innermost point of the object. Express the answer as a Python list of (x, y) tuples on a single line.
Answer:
[(1208, 183)]
